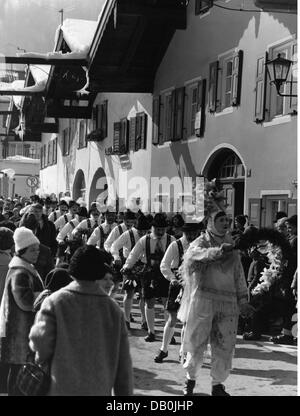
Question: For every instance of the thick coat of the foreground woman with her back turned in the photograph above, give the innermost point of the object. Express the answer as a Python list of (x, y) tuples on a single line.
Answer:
[(81, 331)]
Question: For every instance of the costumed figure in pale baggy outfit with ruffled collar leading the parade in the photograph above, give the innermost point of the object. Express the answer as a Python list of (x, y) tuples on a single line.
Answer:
[(215, 292)]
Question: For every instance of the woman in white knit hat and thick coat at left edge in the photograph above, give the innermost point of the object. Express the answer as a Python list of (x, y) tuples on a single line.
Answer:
[(22, 286)]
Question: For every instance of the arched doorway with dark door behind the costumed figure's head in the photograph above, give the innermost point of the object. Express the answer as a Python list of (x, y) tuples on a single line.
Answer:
[(226, 166)]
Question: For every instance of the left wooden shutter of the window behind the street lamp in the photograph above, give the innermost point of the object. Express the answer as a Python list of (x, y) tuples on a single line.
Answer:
[(260, 89)]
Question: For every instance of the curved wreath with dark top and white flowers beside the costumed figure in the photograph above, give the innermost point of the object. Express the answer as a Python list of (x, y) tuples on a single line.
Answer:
[(276, 248)]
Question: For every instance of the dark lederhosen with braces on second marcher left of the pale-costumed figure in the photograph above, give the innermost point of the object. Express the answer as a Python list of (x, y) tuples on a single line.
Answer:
[(154, 284)]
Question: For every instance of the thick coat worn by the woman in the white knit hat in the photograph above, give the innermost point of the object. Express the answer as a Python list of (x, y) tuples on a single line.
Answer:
[(16, 312)]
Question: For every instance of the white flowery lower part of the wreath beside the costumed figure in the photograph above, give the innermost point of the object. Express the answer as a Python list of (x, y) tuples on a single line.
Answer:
[(273, 272)]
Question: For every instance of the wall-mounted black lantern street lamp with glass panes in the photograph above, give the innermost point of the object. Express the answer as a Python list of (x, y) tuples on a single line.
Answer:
[(278, 70)]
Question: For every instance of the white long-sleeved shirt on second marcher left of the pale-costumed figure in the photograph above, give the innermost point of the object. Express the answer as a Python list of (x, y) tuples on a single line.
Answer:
[(139, 250)]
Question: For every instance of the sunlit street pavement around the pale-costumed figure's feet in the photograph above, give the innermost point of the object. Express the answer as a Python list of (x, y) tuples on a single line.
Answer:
[(259, 368)]
